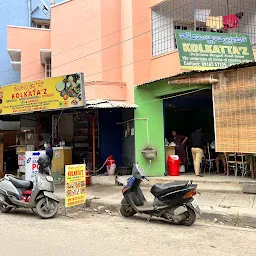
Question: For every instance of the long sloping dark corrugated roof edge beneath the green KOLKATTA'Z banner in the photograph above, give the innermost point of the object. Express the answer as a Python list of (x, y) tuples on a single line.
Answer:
[(195, 72)]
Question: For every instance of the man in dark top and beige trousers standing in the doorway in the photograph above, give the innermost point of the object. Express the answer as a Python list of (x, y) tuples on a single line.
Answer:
[(197, 143)]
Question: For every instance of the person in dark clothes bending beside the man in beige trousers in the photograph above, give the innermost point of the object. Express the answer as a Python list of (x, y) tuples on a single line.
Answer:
[(180, 141)]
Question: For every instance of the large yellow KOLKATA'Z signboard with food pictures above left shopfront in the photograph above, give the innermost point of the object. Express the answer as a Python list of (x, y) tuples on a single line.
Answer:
[(50, 93)]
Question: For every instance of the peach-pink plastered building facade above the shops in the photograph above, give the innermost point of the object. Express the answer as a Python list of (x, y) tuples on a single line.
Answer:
[(109, 41)]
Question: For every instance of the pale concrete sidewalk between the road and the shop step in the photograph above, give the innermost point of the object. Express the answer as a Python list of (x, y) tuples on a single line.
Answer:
[(234, 209)]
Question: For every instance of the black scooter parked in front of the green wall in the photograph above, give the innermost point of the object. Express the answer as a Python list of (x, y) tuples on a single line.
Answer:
[(173, 201)]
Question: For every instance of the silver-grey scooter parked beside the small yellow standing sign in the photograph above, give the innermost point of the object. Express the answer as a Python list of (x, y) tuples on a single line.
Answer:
[(17, 193)]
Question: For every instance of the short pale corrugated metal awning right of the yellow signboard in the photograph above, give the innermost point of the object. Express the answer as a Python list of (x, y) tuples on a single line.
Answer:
[(109, 104)]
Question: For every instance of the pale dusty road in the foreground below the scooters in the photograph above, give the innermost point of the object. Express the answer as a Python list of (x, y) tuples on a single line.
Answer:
[(23, 234)]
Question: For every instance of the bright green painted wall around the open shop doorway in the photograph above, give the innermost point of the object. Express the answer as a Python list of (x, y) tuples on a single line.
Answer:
[(150, 106)]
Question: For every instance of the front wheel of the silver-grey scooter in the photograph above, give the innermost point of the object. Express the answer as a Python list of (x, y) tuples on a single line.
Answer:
[(47, 211)]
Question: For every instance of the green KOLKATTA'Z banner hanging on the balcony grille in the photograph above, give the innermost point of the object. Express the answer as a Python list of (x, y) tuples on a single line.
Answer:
[(210, 50)]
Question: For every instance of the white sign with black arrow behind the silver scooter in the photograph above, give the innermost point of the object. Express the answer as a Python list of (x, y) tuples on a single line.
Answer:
[(31, 165)]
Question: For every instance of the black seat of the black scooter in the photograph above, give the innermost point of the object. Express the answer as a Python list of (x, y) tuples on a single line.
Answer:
[(160, 189)]
